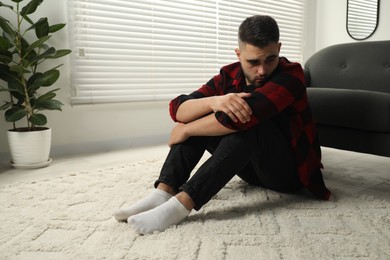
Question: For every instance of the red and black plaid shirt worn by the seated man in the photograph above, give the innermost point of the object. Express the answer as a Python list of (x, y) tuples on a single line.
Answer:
[(283, 99)]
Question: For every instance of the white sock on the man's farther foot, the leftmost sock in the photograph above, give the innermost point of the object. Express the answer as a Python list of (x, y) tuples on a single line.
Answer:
[(156, 198)]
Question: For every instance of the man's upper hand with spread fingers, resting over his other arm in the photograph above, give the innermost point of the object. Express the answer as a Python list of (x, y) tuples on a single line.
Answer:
[(233, 105)]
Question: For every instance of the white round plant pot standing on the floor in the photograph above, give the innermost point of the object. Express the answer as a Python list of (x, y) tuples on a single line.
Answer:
[(30, 149)]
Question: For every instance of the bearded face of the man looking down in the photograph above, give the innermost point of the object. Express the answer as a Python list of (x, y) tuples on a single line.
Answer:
[(258, 63)]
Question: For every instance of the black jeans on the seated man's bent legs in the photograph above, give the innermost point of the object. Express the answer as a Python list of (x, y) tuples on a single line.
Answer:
[(260, 156)]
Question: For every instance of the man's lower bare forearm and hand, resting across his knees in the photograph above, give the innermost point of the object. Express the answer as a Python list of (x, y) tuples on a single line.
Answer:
[(205, 126)]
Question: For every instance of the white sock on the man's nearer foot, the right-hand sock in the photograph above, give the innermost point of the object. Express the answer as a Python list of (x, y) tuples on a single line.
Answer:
[(160, 218)]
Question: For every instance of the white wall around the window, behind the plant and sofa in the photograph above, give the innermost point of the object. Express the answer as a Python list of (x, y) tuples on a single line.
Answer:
[(97, 128)]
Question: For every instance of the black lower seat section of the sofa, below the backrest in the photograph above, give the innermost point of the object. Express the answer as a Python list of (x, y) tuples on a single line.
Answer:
[(360, 109)]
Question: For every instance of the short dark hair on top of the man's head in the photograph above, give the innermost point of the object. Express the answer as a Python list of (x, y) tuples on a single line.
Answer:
[(259, 31)]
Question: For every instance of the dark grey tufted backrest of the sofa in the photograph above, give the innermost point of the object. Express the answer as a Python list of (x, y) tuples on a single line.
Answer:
[(359, 65)]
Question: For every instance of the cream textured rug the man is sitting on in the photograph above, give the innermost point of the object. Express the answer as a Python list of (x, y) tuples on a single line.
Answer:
[(69, 217)]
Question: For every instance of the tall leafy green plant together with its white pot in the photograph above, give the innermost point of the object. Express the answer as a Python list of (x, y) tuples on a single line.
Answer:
[(24, 50)]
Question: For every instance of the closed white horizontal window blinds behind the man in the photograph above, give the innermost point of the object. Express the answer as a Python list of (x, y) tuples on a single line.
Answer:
[(157, 49)]
